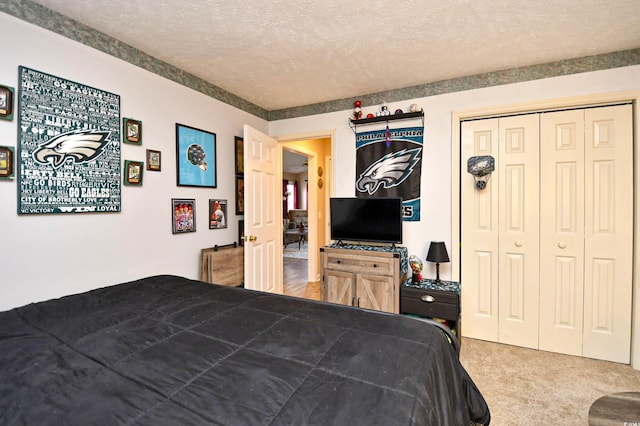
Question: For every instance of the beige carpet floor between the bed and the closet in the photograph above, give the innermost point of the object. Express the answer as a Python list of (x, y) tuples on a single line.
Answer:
[(528, 387)]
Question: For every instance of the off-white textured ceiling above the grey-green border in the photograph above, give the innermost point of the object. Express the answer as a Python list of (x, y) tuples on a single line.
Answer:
[(279, 54)]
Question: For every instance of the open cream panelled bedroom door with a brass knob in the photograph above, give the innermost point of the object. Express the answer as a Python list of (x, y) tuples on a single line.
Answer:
[(262, 212)]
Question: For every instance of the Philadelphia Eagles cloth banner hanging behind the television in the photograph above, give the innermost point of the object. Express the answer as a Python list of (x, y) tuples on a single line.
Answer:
[(388, 164)]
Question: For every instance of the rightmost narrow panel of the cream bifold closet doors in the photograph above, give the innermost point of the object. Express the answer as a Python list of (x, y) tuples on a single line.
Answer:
[(608, 233)]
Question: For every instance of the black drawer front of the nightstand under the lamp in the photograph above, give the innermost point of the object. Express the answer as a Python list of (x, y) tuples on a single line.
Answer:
[(429, 303)]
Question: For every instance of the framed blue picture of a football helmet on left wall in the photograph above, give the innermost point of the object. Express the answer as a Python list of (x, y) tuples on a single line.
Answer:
[(195, 157)]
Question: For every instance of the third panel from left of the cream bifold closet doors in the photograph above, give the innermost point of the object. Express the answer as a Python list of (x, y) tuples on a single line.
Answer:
[(562, 231)]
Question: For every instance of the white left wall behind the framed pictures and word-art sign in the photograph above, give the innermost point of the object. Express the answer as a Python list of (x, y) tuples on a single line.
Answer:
[(45, 256)]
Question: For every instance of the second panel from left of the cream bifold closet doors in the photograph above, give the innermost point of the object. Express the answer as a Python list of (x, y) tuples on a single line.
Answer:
[(519, 237)]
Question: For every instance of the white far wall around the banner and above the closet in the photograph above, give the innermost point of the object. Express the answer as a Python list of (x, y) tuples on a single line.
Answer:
[(436, 217)]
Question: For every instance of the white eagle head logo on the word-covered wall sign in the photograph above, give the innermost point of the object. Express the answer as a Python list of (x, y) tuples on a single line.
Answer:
[(80, 146)]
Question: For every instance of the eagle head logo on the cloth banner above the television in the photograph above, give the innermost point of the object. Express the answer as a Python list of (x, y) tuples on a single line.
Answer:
[(389, 171)]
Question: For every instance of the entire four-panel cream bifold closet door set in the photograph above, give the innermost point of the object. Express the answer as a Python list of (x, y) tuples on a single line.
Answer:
[(547, 246)]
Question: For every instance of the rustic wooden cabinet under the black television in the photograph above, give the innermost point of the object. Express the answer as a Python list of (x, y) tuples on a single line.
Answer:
[(363, 276)]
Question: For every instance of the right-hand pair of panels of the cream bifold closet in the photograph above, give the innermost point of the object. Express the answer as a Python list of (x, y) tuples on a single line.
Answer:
[(586, 232)]
